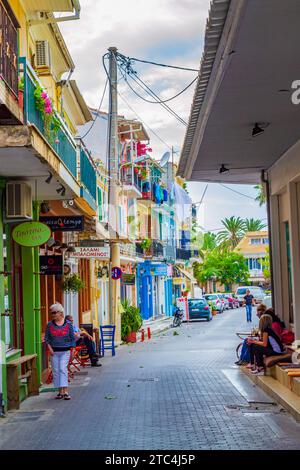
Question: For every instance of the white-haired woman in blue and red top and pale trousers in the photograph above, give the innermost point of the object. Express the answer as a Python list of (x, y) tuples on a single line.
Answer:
[(60, 339)]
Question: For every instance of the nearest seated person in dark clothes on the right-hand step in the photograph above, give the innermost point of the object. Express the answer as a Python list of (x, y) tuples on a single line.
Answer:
[(269, 344)]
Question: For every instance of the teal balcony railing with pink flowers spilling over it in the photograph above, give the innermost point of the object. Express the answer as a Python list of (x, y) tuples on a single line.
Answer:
[(63, 143)]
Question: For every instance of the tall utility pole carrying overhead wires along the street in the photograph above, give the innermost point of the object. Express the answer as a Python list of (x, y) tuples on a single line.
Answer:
[(114, 189)]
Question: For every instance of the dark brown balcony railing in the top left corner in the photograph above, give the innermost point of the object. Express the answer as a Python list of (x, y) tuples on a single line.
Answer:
[(8, 51)]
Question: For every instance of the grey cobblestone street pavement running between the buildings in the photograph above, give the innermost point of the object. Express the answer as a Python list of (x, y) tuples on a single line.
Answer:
[(172, 392)]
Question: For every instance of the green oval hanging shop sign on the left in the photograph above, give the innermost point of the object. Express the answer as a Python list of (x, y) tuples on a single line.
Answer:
[(31, 234)]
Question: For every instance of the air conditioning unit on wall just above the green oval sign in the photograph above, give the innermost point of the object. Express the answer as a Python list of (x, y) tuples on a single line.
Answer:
[(18, 200)]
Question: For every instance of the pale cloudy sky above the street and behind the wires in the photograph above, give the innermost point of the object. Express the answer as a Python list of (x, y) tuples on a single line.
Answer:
[(164, 31)]
